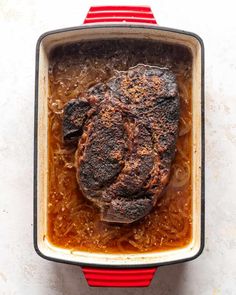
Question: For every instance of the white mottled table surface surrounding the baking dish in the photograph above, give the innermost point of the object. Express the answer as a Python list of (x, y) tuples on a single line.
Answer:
[(21, 270)]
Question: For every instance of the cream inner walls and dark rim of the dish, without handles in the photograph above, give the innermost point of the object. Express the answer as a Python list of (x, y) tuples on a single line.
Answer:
[(47, 42)]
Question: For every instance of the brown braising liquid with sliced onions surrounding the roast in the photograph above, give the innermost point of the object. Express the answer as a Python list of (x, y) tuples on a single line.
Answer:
[(73, 222)]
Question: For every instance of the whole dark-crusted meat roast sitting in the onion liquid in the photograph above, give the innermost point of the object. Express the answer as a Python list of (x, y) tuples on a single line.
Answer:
[(126, 131)]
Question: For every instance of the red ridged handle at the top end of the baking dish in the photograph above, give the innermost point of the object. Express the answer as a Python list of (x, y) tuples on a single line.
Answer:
[(127, 14)]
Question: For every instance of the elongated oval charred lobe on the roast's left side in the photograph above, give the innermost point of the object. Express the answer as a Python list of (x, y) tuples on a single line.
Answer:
[(100, 154)]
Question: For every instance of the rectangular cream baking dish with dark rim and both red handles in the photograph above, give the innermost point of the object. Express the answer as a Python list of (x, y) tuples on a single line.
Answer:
[(117, 269)]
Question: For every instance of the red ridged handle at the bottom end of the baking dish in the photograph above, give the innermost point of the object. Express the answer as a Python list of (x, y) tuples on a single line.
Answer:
[(99, 277)]
